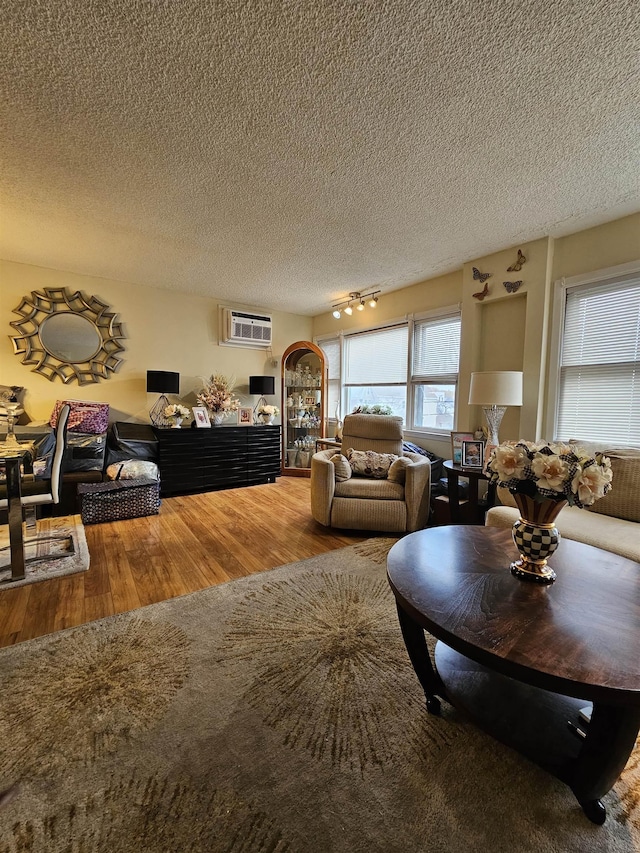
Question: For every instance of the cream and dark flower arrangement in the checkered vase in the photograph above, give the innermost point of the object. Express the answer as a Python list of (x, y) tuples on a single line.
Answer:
[(562, 472)]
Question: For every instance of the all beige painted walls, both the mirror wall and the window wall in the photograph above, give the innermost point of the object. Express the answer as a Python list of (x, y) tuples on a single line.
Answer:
[(168, 331)]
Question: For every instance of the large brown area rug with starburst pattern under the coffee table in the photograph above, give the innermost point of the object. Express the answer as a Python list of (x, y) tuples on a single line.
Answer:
[(278, 713)]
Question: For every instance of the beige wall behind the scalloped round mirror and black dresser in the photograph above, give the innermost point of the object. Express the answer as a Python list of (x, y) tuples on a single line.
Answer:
[(165, 331)]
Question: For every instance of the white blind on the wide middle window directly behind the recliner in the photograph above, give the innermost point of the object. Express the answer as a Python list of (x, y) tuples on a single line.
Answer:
[(377, 358)]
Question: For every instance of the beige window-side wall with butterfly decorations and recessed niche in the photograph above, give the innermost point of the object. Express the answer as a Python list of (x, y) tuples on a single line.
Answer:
[(505, 331)]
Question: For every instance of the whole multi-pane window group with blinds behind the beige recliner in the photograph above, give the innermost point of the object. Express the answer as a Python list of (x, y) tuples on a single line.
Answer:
[(411, 367)]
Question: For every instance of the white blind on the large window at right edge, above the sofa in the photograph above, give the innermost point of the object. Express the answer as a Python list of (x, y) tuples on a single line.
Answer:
[(599, 395)]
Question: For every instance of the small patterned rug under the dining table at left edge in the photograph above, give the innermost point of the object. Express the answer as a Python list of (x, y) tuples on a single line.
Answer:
[(68, 551)]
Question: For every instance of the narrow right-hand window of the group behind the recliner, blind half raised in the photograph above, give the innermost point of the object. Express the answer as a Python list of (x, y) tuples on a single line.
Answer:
[(434, 374)]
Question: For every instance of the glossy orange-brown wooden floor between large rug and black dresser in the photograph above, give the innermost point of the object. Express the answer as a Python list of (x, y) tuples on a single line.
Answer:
[(195, 542)]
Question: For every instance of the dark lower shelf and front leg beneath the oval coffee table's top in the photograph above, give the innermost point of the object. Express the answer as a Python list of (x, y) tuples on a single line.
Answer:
[(543, 726)]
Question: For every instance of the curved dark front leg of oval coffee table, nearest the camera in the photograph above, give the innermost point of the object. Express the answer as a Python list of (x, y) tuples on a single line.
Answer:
[(611, 736)]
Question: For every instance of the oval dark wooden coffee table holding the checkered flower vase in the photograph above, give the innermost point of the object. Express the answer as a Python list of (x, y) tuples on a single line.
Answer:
[(524, 660)]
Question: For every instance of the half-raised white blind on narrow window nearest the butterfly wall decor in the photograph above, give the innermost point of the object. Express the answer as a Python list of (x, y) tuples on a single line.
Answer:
[(436, 349)]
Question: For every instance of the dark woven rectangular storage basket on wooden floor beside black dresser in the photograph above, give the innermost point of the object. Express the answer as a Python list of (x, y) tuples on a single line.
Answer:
[(117, 500)]
